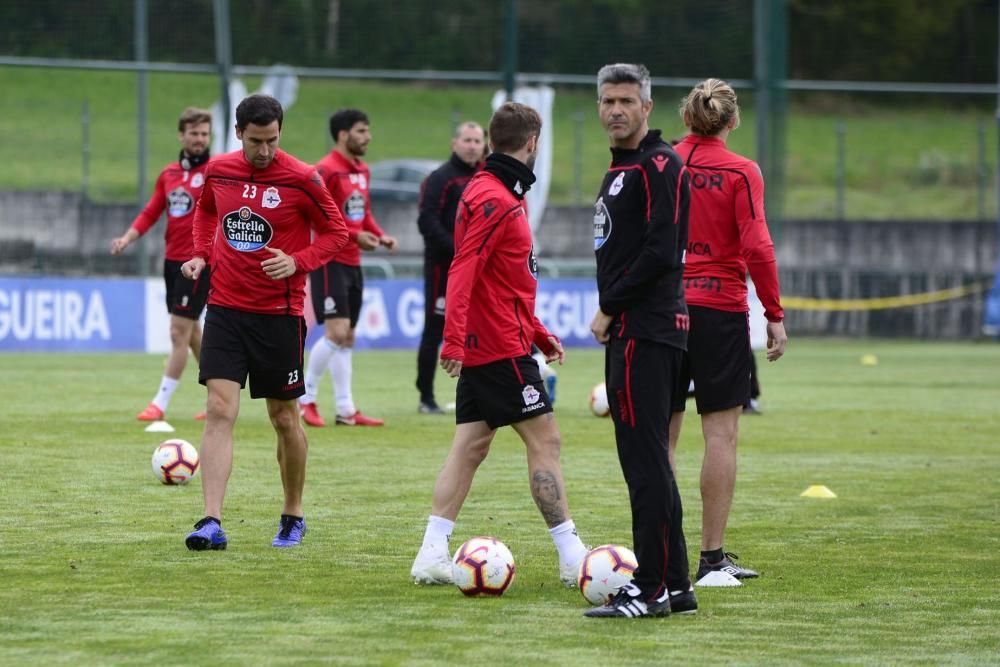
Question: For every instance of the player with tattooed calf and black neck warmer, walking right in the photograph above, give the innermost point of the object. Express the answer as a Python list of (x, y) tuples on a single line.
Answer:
[(489, 327)]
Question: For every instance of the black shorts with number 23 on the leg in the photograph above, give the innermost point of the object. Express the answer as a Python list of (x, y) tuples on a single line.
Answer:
[(268, 348)]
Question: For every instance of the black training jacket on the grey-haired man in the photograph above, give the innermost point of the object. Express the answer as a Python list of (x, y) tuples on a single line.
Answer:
[(640, 233)]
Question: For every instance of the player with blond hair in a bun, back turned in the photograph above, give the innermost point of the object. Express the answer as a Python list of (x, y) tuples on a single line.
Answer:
[(728, 236)]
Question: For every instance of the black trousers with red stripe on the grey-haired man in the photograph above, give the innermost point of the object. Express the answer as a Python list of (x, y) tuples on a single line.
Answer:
[(641, 378)]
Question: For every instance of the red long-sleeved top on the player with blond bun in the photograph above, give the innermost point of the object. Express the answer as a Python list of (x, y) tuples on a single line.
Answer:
[(727, 235)]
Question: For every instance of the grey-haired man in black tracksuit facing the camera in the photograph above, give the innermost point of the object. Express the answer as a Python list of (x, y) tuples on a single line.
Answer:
[(640, 233)]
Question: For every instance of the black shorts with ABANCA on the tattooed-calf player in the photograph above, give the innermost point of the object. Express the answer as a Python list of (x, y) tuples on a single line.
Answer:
[(501, 393)]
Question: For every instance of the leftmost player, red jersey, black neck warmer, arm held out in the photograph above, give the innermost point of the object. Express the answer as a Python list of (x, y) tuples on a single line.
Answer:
[(176, 191)]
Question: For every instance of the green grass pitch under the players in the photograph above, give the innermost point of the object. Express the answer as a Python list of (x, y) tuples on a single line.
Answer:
[(901, 568)]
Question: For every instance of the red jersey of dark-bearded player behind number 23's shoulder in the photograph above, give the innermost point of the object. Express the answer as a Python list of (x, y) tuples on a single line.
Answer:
[(347, 180)]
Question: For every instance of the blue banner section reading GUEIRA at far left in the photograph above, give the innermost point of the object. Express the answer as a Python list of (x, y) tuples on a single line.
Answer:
[(71, 314)]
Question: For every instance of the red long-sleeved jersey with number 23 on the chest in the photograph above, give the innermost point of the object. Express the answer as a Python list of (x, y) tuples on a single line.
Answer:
[(244, 210)]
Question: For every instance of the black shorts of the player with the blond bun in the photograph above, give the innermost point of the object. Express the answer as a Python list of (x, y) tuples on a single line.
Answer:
[(718, 360)]
